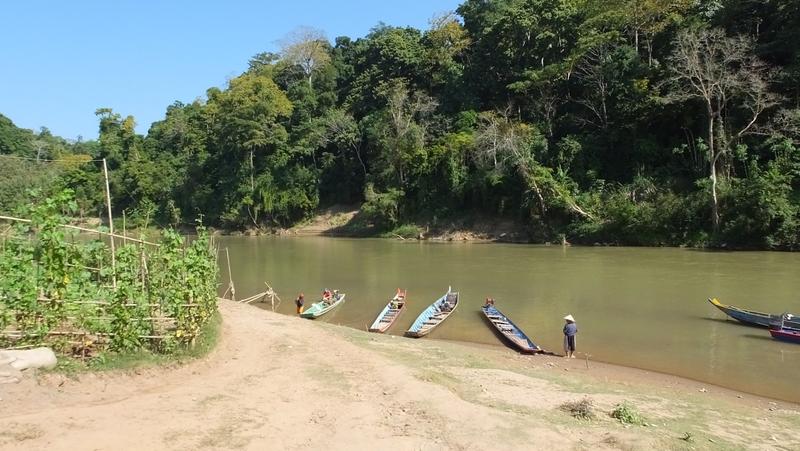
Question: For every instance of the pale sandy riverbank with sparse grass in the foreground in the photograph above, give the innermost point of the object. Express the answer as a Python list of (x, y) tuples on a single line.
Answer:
[(278, 382)]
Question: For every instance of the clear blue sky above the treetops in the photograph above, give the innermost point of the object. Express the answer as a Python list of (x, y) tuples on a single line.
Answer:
[(61, 60)]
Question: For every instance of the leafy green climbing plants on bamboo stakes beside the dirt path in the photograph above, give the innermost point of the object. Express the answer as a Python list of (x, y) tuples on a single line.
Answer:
[(63, 290)]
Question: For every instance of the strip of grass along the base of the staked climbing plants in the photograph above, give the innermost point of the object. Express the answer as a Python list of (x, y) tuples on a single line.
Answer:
[(109, 361)]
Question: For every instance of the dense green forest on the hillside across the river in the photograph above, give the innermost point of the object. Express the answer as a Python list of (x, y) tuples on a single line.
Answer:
[(630, 122)]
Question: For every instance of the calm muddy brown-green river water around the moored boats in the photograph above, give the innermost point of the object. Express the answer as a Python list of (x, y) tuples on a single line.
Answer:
[(644, 308)]
